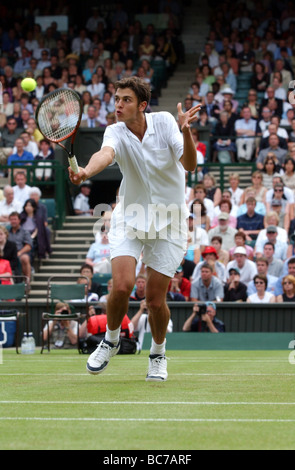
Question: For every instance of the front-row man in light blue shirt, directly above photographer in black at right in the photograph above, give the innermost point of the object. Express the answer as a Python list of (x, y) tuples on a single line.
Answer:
[(207, 286)]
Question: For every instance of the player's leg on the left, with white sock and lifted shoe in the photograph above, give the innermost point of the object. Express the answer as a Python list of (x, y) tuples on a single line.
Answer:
[(123, 275)]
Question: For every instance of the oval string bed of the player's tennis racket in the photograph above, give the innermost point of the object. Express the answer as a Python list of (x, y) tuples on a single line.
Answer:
[(59, 115)]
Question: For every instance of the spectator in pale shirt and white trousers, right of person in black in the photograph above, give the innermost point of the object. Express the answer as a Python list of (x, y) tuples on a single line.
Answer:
[(246, 130)]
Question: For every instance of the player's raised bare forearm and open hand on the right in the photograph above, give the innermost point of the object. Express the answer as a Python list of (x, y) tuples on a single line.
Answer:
[(189, 156)]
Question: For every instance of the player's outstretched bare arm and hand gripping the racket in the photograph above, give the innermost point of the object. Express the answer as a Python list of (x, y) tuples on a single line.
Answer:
[(97, 163)]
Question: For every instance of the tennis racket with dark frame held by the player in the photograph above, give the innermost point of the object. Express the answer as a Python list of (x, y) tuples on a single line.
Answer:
[(58, 116)]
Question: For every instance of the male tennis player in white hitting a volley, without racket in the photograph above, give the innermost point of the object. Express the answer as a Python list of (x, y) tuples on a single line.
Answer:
[(150, 215)]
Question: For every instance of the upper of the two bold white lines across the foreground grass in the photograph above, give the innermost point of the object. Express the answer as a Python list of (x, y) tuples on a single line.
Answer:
[(203, 403)]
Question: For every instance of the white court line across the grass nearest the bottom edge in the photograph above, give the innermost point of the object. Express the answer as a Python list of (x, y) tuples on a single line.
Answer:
[(182, 420)]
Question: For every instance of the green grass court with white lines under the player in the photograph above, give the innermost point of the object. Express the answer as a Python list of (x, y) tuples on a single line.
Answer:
[(212, 400)]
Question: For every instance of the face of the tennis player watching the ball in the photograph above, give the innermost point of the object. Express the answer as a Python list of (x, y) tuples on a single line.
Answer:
[(127, 106)]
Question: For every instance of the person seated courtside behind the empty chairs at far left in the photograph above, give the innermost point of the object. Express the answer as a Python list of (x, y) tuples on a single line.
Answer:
[(63, 334)]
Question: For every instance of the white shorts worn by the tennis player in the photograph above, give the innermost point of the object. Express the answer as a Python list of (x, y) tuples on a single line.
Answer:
[(162, 253)]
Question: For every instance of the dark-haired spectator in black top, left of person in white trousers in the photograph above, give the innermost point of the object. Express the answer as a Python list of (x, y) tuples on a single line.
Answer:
[(224, 130)]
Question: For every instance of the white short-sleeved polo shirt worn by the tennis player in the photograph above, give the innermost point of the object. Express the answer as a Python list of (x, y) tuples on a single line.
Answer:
[(153, 177)]
